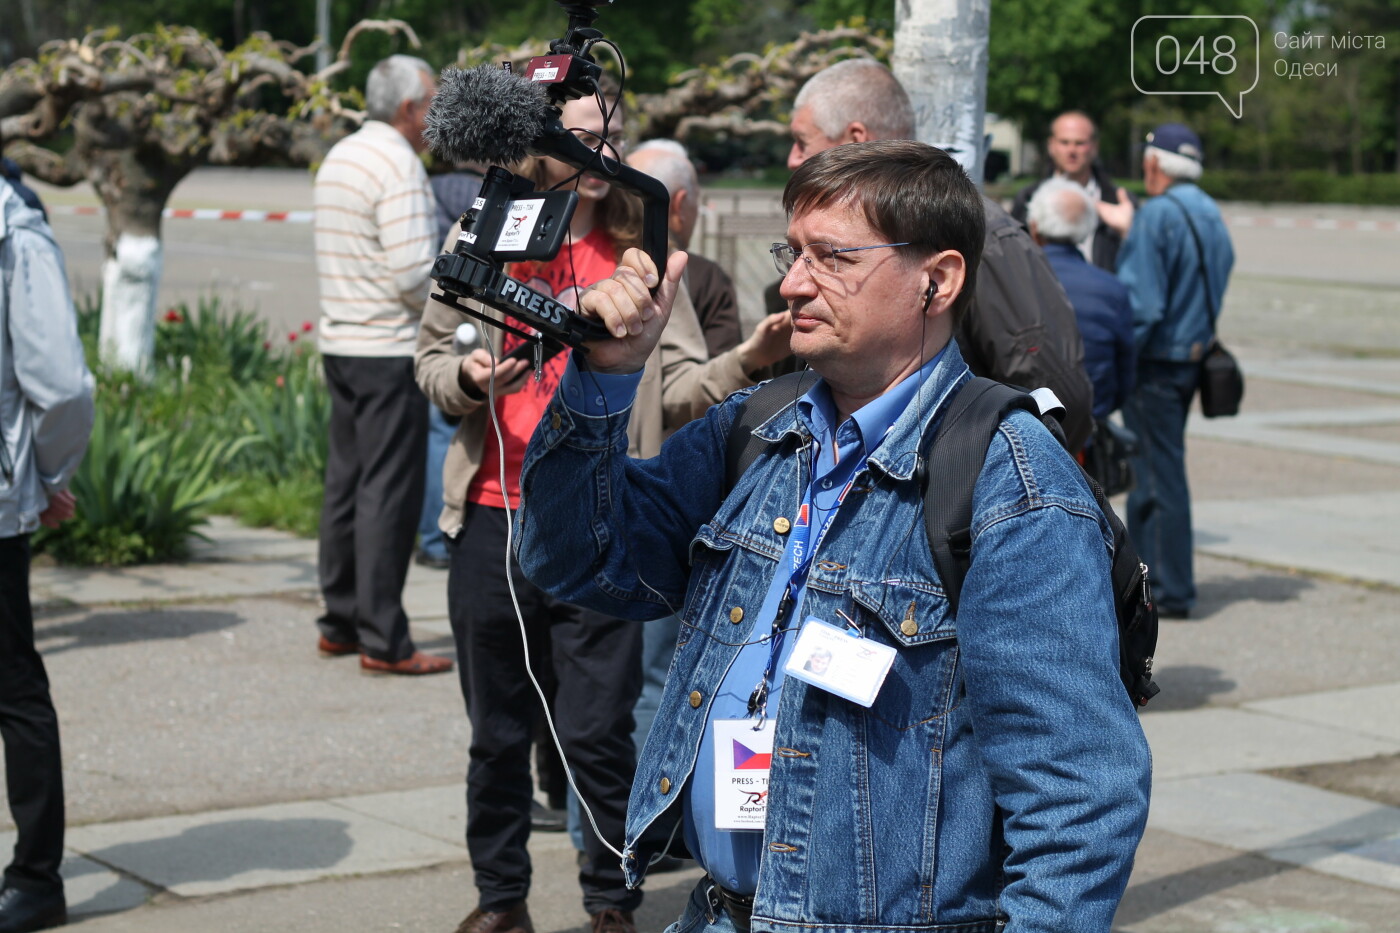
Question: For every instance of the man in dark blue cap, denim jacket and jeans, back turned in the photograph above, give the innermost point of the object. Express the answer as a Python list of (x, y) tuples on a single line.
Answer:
[(1177, 261)]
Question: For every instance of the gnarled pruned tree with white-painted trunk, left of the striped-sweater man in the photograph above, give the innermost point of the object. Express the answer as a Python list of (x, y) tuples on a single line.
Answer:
[(139, 114)]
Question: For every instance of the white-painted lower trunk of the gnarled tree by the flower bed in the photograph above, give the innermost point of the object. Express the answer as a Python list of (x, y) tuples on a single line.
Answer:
[(131, 279)]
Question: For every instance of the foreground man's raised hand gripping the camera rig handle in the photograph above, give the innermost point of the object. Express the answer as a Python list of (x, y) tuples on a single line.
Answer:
[(626, 307)]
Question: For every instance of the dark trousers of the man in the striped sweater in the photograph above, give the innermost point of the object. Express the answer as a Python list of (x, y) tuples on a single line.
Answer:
[(374, 498)]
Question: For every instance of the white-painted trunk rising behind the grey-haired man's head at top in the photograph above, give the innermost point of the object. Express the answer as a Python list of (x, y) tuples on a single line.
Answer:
[(941, 60)]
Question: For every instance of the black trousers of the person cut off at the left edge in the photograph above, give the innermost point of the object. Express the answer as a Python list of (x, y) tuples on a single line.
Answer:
[(30, 728)]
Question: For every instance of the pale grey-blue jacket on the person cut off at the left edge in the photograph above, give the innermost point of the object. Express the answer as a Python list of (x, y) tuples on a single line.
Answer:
[(45, 386)]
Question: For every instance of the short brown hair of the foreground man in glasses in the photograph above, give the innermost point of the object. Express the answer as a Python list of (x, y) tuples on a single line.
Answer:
[(911, 193)]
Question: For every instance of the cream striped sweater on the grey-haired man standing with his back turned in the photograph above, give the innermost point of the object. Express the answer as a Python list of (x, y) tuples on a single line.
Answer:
[(376, 244)]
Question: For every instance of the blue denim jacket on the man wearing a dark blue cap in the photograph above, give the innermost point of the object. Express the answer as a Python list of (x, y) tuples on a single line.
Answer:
[(1163, 271)]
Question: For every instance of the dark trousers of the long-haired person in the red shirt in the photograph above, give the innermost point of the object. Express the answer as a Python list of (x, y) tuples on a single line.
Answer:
[(597, 663)]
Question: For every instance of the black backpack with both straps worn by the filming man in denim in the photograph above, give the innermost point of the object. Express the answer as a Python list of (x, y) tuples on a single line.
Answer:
[(955, 455)]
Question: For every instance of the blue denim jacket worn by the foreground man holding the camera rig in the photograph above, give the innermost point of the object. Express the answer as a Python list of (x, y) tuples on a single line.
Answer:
[(1000, 781)]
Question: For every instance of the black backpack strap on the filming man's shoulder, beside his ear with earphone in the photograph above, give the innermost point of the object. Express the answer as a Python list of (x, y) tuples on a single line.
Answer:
[(950, 467)]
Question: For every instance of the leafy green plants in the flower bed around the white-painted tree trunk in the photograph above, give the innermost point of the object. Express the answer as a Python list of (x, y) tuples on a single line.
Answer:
[(226, 422)]
